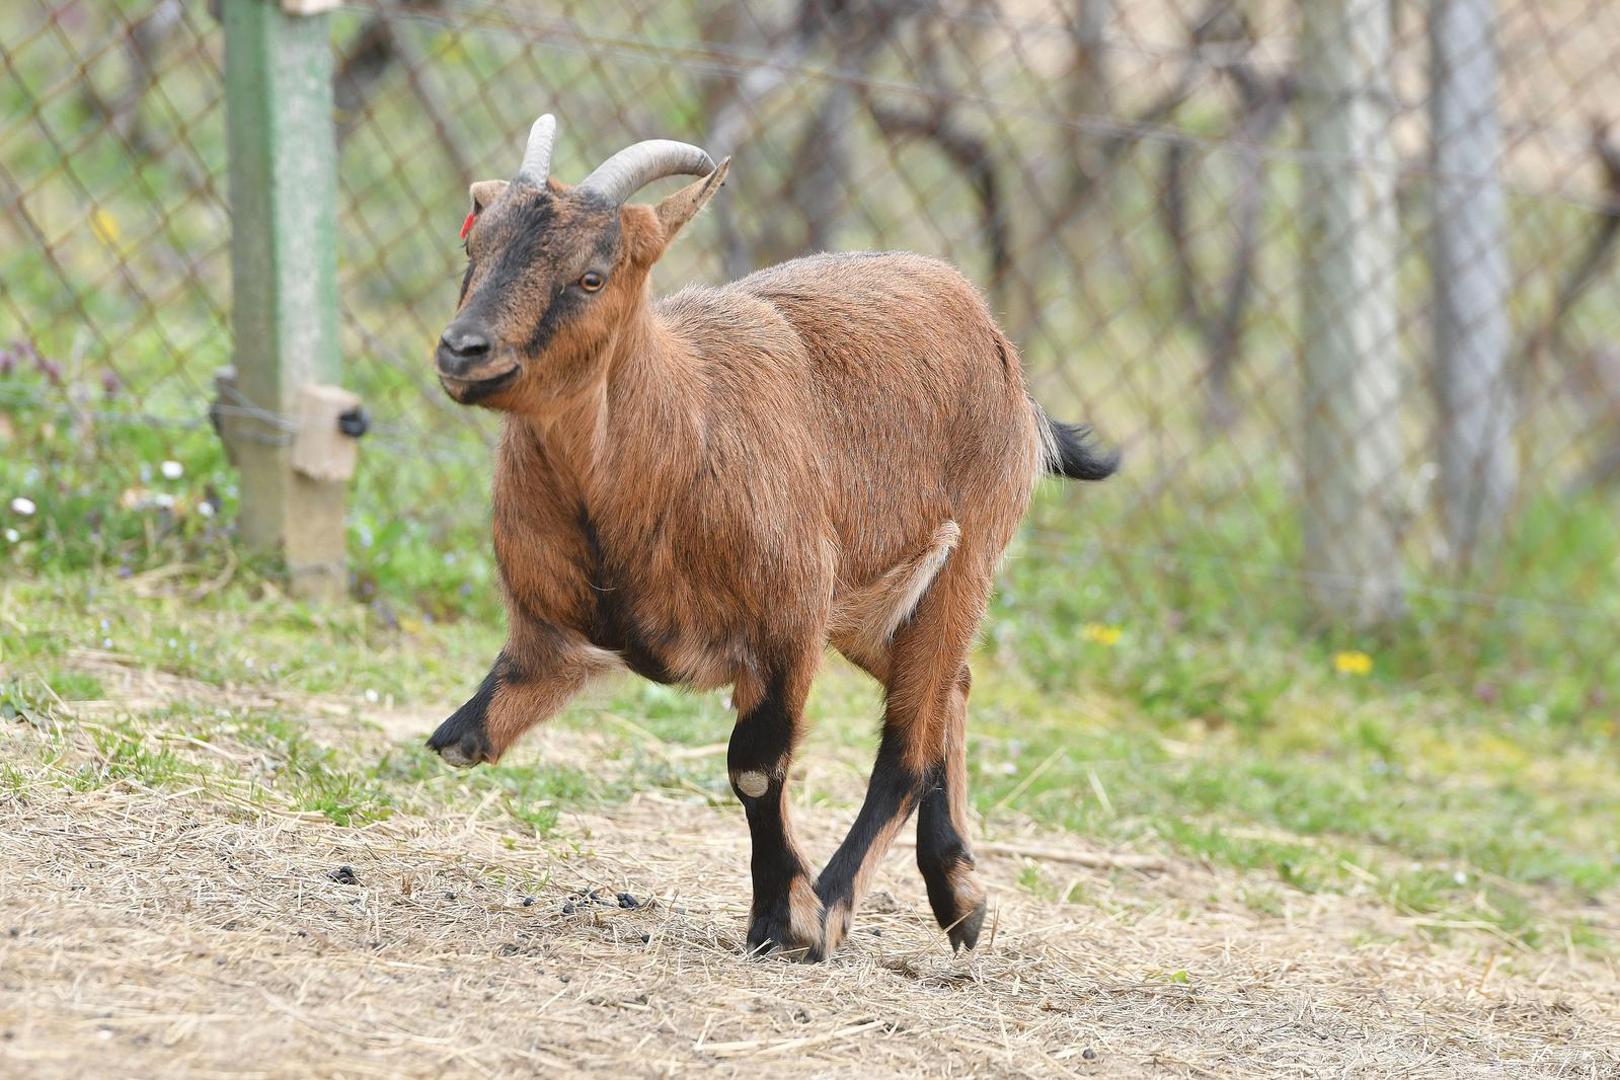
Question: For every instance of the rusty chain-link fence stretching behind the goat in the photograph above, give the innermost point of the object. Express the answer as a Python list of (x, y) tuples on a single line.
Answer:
[(1337, 276)]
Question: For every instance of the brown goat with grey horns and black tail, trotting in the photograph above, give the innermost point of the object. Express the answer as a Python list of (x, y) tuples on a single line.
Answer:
[(712, 488)]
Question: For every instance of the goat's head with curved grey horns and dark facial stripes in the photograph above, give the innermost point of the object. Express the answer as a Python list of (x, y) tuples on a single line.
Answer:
[(555, 271)]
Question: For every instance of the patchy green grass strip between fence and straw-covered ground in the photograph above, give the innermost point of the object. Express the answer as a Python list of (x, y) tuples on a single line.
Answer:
[(1250, 754)]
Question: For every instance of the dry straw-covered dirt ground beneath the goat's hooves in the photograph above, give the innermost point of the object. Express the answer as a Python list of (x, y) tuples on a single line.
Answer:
[(190, 935)]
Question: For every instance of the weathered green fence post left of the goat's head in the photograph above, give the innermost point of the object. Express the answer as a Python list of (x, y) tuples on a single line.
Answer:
[(284, 279)]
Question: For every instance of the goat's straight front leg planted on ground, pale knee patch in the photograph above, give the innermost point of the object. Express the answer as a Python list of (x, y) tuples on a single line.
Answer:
[(787, 912)]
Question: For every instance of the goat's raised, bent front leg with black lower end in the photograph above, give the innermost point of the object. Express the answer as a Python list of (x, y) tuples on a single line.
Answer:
[(539, 671)]
